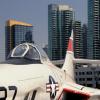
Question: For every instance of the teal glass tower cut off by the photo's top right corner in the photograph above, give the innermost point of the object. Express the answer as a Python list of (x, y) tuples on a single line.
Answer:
[(93, 29)]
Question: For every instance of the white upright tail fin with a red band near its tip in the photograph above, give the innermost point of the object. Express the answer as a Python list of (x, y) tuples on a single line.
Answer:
[(68, 64)]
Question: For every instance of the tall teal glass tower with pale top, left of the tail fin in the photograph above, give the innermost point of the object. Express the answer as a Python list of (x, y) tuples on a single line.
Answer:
[(59, 29)]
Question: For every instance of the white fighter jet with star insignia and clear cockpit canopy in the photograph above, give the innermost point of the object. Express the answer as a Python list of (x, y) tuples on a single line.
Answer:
[(28, 74)]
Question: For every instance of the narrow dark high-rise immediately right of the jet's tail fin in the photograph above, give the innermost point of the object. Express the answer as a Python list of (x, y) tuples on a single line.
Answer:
[(78, 43)]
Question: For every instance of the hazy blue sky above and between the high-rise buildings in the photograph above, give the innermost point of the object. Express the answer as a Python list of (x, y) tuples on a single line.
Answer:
[(35, 12)]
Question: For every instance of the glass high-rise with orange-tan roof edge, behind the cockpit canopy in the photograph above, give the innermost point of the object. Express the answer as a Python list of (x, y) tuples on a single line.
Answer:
[(16, 32)]
